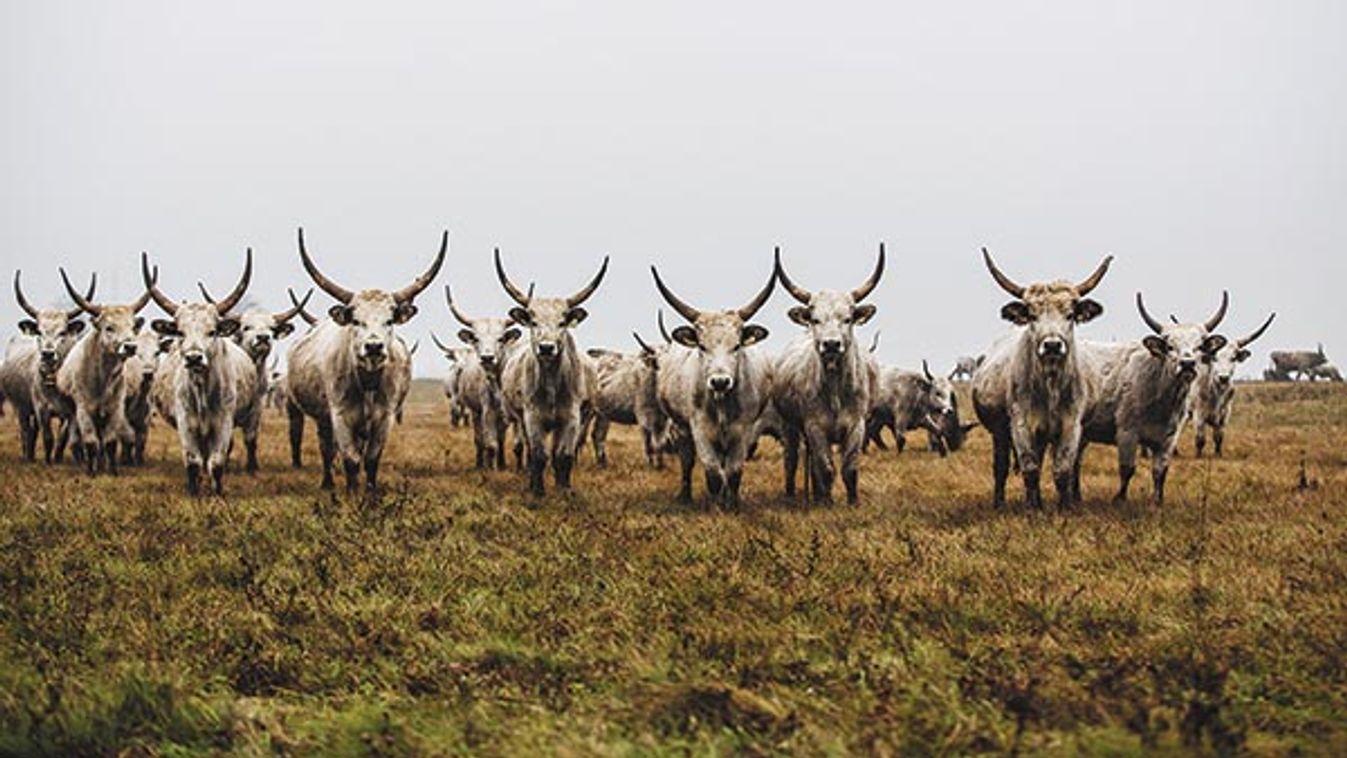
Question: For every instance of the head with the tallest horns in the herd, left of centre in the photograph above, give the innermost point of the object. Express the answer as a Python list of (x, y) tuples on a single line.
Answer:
[(372, 314)]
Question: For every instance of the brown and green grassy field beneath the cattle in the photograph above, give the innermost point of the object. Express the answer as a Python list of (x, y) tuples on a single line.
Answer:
[(457, 617)]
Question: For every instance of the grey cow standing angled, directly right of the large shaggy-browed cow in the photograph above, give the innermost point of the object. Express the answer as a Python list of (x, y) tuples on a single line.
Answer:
[(1144, 390)]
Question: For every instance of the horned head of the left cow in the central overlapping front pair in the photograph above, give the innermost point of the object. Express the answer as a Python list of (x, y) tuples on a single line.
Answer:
[(719, 336)]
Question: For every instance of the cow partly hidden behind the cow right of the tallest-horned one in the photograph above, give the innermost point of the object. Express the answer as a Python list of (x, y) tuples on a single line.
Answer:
[(478, 380)]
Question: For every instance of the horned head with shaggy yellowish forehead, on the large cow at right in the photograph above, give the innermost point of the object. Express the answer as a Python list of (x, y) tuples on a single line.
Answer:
[(1050, 312)]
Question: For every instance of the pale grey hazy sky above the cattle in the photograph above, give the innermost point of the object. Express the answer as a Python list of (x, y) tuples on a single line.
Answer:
[(1205, 145)]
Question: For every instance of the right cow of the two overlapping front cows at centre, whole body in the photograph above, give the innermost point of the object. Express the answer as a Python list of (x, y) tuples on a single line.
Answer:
[(822, 386)]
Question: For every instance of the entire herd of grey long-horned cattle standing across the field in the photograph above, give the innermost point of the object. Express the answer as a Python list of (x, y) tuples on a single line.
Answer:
[(707, 392)]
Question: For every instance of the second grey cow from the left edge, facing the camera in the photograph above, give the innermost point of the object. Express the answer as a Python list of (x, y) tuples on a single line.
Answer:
[(91, 376)]
